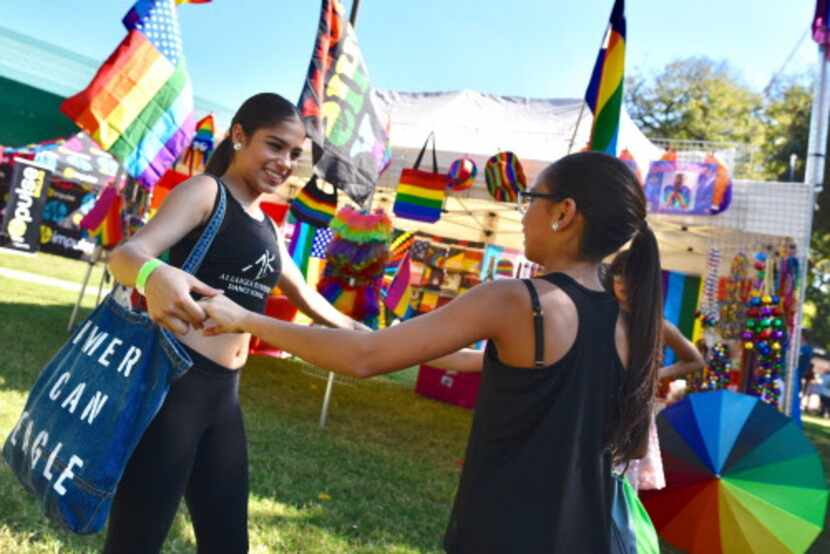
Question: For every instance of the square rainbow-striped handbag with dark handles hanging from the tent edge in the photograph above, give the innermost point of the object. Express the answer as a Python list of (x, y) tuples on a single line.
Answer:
[(420, 194)]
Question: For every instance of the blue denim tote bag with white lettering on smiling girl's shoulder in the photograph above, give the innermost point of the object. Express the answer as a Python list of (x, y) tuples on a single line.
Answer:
[(92, 403)]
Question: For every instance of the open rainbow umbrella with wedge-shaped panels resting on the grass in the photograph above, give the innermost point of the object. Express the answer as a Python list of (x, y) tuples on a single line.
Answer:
[(740, 476)]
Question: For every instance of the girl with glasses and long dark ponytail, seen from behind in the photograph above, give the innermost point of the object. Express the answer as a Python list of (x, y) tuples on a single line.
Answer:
[(567, 380)]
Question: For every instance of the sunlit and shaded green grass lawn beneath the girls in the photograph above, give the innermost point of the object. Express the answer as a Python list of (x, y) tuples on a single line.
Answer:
[(379, 479)]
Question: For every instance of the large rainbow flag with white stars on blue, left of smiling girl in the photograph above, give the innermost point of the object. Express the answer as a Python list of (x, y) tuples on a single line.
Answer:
[(139, 106)]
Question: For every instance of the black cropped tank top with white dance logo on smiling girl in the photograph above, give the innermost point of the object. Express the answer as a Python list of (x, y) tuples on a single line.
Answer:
[(243, 260)]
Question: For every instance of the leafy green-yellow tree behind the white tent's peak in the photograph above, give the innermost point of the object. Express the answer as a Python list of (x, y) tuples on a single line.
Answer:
[(695, 99)]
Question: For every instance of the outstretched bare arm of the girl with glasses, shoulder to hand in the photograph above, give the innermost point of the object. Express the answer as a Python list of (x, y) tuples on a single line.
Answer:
[(438, 333)]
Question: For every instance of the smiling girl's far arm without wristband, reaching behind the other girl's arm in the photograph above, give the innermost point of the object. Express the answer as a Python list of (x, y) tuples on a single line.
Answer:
[(307, 299)]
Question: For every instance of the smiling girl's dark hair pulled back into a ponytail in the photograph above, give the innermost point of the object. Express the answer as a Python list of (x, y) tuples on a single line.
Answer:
[(261, 110)]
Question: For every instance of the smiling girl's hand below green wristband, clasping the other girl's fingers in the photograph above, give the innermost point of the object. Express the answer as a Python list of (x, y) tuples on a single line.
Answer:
[(169, 302)]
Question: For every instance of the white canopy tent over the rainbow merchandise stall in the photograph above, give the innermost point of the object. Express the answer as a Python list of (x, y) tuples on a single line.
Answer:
[(478, 125)]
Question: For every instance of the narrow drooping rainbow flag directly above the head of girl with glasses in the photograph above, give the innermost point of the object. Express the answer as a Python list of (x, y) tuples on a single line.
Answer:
[(605, 91)]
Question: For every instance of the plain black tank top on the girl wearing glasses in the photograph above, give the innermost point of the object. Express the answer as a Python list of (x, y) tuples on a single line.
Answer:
[(537, 472)]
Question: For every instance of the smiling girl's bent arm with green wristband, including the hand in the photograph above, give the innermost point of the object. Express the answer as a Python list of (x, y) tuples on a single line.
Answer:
[(168, 288)]
